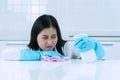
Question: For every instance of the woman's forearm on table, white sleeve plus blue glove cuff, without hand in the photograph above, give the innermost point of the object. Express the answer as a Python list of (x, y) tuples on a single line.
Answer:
[(20, 54)]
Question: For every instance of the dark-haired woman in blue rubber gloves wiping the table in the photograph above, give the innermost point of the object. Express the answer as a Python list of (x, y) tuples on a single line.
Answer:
[(46, 43)]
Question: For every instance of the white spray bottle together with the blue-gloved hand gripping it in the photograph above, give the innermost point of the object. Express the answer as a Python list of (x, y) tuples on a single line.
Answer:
[(86, 47)]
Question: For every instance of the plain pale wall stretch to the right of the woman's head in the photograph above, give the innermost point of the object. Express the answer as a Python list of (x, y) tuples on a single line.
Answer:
[(95, 17)]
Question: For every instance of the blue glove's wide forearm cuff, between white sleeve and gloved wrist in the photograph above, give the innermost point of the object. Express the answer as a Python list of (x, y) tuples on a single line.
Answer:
[(30, 55)]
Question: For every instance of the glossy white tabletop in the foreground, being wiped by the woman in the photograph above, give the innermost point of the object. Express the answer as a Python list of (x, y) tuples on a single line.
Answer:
[(73, 69)]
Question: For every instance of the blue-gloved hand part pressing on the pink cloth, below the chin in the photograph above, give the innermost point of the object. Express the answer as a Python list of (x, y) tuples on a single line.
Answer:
[(51, 54)]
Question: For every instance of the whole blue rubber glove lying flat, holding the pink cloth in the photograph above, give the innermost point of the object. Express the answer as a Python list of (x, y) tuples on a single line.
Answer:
[(30, 55)]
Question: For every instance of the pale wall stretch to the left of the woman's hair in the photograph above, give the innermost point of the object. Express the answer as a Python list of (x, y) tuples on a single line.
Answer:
[(13, 22)]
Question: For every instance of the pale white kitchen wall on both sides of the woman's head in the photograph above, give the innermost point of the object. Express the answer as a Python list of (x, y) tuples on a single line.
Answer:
[(95, 17)]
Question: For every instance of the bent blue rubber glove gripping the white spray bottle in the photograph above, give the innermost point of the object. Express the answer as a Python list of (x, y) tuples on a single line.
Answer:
[(85, 43)]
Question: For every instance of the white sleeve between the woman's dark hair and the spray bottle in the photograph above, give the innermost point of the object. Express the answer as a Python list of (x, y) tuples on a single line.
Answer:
[(70, 51)]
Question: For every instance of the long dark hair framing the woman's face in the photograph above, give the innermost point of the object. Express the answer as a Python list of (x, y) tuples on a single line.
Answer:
[(42, 22)]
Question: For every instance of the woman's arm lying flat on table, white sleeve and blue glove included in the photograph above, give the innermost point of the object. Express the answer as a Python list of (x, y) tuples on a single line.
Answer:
[(30, 55)]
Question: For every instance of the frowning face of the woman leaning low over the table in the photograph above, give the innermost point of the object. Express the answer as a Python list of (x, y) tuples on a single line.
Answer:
[(47, 39)]
